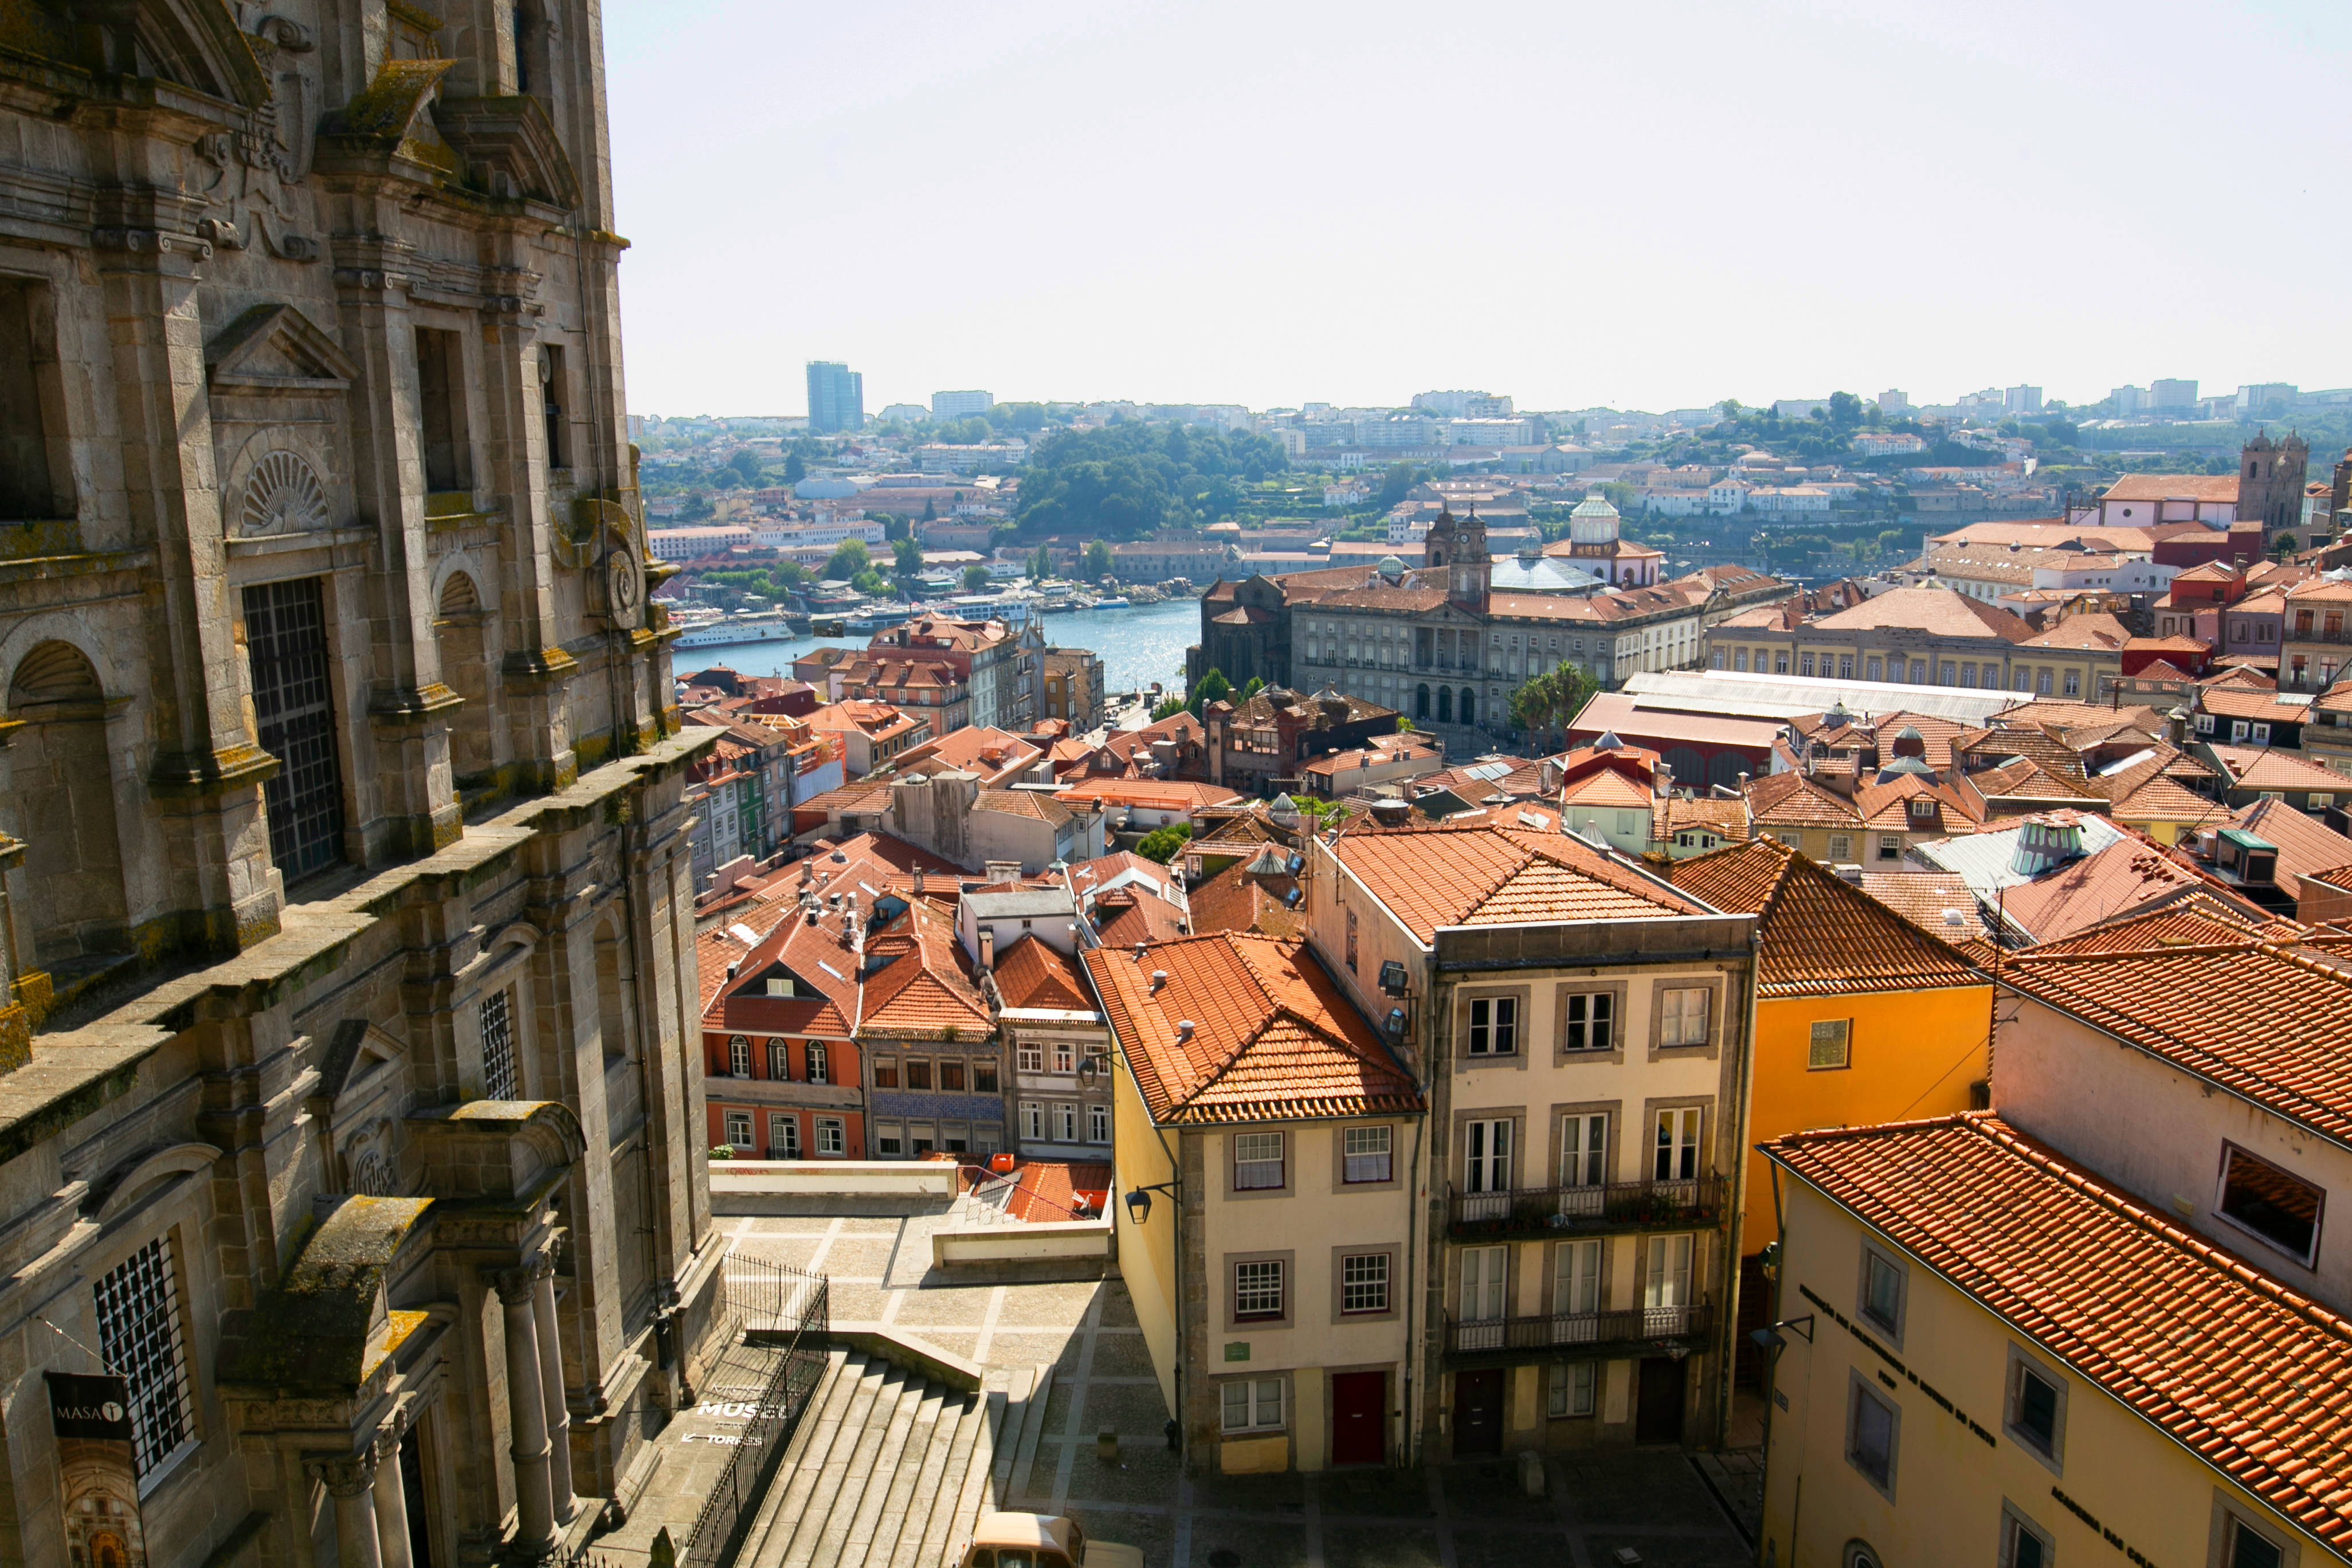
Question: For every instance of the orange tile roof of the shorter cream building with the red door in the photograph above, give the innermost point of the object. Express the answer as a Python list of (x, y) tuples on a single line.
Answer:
[(1274, 1038)]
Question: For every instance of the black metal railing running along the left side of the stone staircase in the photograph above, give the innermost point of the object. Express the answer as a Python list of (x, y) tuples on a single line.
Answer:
[(796, 1308)]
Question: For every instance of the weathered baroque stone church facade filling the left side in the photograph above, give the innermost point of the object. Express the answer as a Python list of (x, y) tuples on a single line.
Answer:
[(347, 1108)]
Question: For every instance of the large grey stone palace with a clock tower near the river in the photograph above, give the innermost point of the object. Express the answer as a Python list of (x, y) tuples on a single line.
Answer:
[(1445, 645)]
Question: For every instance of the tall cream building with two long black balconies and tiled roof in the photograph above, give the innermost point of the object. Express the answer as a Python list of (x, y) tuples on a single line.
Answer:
[(1584, 1038)]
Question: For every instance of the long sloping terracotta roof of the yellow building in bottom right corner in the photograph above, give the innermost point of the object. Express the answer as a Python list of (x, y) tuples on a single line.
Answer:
[(2243, 1372)]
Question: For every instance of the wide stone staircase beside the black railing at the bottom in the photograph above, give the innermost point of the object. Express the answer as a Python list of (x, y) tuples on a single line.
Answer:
[(893, 1468)]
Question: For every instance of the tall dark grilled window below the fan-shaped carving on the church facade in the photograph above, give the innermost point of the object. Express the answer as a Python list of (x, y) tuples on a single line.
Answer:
[(286, 638)]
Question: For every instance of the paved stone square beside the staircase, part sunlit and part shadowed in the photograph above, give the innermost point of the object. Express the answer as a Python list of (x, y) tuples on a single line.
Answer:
[(1455, 1517)]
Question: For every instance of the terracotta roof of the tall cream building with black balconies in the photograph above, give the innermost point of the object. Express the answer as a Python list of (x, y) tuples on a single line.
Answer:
[(1499, 878)]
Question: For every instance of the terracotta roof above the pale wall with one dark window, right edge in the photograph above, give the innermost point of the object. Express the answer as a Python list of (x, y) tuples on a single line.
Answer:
[(2254, 1019)]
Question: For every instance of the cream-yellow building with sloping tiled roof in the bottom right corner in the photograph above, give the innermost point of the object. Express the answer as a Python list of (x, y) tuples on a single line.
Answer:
[(2019, 1367)]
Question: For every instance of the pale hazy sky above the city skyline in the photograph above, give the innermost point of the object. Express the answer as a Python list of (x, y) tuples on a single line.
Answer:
[(1641, 206)]
